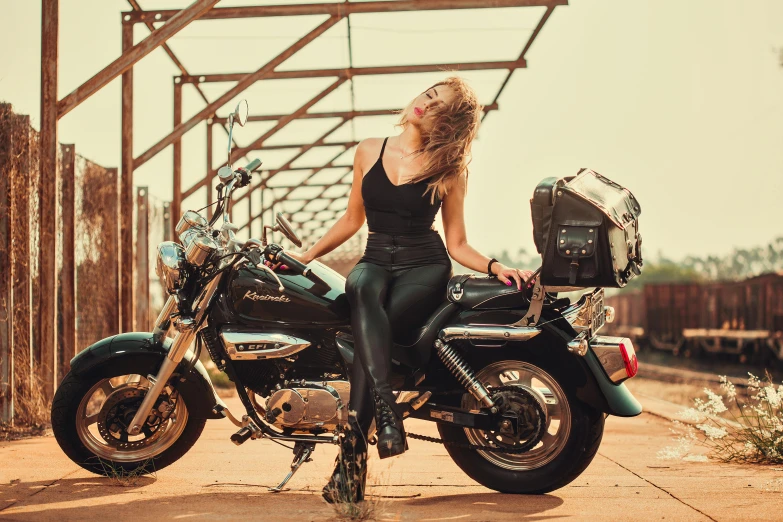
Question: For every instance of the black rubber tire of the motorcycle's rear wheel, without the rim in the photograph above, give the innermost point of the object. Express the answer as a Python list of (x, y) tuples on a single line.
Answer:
[(574, 452)]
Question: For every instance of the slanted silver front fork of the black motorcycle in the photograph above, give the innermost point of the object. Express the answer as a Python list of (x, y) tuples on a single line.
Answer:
[(187, 330)]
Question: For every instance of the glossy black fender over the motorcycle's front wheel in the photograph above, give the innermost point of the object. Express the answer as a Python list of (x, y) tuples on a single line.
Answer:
[(135, 353)]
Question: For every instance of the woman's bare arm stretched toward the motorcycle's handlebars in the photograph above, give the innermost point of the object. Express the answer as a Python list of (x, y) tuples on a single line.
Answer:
[(353, 218)]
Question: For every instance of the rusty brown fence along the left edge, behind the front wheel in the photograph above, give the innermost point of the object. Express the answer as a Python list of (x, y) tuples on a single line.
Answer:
[(87, 264)]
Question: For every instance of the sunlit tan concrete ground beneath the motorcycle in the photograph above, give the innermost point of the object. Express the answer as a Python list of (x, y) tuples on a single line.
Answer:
[(217, 480)]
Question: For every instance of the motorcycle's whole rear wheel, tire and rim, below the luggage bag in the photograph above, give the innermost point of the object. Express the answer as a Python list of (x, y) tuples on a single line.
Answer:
[(569, 433)]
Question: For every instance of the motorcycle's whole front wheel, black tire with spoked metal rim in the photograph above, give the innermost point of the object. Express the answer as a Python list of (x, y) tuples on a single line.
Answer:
[(90, 416)]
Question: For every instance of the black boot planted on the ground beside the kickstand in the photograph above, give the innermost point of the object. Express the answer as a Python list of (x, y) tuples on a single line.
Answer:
[(349, 477)]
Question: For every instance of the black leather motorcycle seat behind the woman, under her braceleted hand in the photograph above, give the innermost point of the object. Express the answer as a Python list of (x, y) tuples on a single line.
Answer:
[(484, 293)]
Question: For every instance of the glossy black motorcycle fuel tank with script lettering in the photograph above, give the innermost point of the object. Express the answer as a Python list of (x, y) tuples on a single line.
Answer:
[(253, 297)]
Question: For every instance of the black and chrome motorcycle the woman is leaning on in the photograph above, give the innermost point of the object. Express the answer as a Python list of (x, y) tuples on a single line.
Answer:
[(517, 381)]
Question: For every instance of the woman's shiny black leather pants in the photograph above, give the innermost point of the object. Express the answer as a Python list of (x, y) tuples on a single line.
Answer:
[(394, 287)]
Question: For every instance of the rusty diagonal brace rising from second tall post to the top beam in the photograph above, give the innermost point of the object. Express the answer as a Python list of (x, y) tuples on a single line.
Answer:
[(242, 84)]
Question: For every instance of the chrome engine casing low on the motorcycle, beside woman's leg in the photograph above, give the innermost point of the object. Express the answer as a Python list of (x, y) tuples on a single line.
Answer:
[(312, 405)]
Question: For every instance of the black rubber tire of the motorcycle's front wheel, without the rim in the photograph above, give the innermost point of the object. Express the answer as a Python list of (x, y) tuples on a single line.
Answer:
[(66, 416)]
